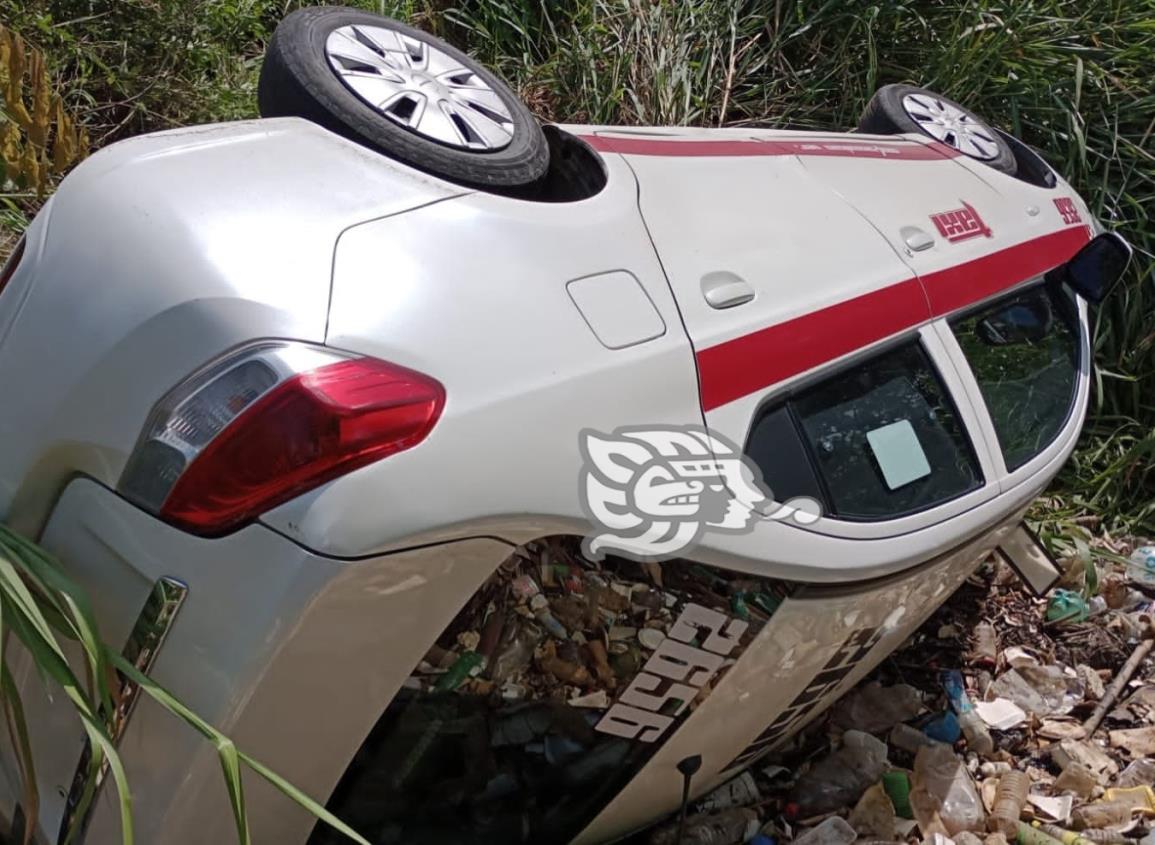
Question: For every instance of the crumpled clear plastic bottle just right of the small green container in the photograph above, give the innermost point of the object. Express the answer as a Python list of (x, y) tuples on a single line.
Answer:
[(943, 796)]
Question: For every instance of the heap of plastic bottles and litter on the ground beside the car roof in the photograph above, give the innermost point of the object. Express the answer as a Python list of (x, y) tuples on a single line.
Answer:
[(1005, 719)]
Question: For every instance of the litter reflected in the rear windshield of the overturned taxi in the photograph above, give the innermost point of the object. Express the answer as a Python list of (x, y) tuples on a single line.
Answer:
[(553, 625)]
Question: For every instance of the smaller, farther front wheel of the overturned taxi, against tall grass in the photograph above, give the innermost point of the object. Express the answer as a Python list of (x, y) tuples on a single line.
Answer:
[(903, 109)]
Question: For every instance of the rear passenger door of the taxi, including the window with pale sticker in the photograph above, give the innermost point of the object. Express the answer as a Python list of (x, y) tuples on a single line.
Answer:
[(781, 281)]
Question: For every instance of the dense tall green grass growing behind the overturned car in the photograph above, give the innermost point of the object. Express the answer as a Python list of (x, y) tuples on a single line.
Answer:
[(1077, 80)]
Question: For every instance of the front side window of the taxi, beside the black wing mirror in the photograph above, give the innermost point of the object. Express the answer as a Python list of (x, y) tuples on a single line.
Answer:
[(1025, 355)]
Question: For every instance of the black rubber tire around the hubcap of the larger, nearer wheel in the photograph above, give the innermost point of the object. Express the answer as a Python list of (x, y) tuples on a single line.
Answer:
[(299, 81)]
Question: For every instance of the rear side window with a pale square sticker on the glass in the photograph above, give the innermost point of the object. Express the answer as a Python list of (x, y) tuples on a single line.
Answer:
[(877, 442)]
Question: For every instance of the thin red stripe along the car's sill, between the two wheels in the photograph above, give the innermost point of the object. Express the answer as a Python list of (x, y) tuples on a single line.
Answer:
[(897, 151)]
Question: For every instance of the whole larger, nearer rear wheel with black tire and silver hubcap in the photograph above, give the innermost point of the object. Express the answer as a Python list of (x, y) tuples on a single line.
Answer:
[(404, 93)]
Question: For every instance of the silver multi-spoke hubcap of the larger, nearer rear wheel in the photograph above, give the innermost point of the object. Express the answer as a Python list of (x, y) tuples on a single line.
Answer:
[(420, 87)]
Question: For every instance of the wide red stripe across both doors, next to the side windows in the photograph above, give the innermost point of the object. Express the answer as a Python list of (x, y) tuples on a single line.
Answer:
[(744, 365)]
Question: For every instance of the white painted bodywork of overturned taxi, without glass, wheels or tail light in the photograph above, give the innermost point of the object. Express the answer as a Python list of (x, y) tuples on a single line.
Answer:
[(541, 320)]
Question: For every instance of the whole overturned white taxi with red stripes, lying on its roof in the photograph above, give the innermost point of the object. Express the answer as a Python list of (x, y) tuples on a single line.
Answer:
[(322, 407)]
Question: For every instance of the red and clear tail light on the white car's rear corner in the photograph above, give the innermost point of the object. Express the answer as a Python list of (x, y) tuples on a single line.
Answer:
[(269, 423)]
